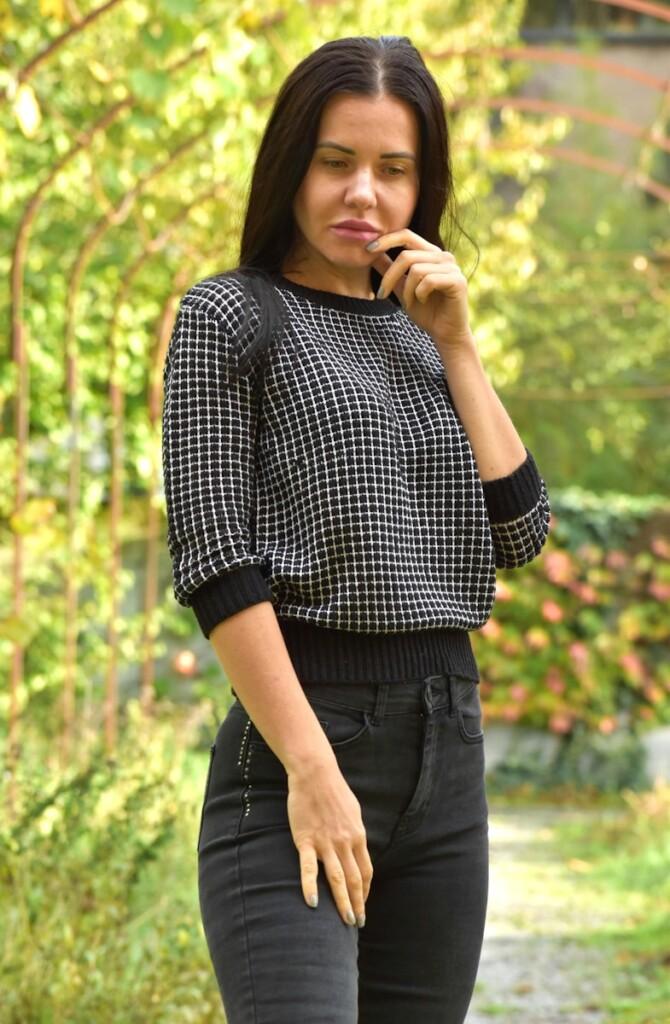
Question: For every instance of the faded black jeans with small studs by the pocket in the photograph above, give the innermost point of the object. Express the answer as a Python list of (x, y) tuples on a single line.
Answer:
[(413, 755)]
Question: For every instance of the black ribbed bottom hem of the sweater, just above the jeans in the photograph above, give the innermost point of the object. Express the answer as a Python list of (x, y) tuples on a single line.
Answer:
[(320, 655)]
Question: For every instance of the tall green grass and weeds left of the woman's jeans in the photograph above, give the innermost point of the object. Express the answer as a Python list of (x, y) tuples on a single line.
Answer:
[(98, 888)]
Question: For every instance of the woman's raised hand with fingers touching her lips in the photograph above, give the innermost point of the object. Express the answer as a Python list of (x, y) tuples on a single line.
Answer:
[(430, 284)]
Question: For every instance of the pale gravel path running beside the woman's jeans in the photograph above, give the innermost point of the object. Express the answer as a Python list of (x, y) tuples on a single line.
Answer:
[(533, 970)]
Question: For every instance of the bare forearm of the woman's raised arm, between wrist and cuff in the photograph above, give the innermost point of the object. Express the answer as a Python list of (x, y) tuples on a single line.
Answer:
[(498, 449)]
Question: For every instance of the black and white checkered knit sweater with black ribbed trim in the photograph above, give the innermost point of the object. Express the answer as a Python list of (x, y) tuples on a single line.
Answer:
[(357, 509)]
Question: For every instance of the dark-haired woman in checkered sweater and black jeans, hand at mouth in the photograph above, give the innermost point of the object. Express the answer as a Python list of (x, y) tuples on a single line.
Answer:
[(342, 483)]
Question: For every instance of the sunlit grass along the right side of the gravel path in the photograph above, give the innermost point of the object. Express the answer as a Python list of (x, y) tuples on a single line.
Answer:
[(613, 863)]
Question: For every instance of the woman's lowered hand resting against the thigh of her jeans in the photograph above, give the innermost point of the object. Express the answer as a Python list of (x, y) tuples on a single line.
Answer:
[(327, 825)]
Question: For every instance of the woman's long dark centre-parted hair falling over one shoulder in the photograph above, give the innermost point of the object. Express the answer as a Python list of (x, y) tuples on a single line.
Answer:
[(361, 65)]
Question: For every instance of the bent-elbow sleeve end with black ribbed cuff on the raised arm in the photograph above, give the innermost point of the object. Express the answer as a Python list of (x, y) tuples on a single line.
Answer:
[(519, 515)]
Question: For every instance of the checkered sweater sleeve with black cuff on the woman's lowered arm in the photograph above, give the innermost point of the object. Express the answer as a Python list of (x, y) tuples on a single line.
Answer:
[(208, 426)]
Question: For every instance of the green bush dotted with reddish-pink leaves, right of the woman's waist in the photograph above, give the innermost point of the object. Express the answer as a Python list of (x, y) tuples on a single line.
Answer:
[(580, 637)]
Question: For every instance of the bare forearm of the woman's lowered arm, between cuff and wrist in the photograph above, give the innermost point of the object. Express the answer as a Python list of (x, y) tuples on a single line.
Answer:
[(253, 652)]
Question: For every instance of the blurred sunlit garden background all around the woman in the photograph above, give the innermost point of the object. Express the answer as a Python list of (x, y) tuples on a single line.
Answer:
[(129, 132)]
